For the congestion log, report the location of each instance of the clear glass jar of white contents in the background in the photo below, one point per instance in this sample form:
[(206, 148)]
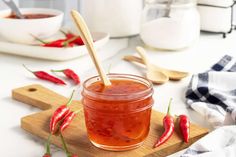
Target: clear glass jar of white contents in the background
[(179, 29)]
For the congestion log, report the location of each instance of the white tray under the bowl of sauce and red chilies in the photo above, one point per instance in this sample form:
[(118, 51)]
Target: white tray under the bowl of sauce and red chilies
[(51, 53)]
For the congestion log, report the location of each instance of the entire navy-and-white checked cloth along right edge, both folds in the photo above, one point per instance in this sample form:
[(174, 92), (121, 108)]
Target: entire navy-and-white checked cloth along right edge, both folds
[(213, 95)]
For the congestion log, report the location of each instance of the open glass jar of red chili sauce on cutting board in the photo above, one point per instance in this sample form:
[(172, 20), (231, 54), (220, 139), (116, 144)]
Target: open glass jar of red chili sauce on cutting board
[(117, 117)]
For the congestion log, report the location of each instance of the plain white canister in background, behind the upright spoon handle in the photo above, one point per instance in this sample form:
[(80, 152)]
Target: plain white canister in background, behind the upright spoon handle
[(119, 18)]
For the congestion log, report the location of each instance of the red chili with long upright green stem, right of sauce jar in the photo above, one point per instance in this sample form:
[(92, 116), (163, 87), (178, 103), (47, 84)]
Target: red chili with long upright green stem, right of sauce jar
[(168, 123)]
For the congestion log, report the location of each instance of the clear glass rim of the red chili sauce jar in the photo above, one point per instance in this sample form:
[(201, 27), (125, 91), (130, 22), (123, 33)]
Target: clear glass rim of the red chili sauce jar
[(137, 78)]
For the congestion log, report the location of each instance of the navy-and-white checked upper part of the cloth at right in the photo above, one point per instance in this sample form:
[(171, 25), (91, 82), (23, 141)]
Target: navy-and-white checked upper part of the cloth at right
[(213, 93)]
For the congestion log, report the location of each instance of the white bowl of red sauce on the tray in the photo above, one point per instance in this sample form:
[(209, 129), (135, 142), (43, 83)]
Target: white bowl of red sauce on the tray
[(21, 30)]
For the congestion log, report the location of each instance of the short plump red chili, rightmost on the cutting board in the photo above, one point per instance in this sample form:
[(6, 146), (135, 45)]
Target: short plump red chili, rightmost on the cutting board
[(184, 125)]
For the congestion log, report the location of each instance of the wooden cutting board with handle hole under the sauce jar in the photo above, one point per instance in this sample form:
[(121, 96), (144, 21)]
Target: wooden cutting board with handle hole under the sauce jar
[(75, 135)]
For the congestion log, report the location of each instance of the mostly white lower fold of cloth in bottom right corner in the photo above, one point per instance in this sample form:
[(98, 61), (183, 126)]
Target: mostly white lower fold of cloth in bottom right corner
[(208, 146)]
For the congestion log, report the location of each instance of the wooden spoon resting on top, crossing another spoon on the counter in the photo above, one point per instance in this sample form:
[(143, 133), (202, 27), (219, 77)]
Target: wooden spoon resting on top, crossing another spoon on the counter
[(153, 75)]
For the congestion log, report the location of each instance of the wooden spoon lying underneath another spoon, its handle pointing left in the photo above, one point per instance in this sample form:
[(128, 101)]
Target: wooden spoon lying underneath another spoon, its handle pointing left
[(173, 74)]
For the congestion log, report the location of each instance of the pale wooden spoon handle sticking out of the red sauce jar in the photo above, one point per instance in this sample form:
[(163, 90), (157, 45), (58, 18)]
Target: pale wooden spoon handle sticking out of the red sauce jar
[(87, 38)]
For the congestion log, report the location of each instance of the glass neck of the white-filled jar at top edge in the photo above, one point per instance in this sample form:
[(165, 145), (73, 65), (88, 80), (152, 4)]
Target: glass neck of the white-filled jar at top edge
[(162, 4)]
